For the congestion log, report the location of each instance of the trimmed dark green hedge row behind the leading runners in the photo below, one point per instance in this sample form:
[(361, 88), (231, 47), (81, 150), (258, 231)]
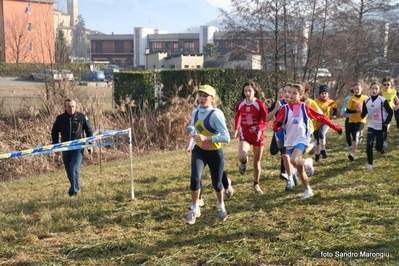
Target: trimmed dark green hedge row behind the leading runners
[(136, 89)]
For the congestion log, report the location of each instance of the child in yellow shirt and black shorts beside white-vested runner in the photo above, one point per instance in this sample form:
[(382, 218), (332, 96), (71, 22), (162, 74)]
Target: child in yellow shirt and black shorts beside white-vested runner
[(356, 122)]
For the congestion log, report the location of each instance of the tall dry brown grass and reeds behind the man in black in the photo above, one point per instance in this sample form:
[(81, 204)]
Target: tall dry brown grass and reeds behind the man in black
[(30, 126)]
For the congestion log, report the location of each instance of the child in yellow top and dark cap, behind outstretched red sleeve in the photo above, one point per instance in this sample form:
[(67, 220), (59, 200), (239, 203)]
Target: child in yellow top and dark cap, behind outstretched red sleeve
[(326, 105)]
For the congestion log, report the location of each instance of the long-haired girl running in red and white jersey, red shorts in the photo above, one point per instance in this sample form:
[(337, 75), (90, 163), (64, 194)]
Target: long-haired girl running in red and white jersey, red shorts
[(250, 118)]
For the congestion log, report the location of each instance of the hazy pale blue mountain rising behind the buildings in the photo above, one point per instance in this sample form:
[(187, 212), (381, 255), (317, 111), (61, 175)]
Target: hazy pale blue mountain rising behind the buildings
[(122, 16)]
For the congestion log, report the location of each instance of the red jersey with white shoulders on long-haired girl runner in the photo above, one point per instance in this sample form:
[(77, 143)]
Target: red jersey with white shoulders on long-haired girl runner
[(250, 114)]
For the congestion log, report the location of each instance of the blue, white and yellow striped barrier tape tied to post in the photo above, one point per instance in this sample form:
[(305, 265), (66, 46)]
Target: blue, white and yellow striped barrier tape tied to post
[(66, 146)]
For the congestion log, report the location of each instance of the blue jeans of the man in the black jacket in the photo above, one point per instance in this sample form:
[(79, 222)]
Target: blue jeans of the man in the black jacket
[(72, 161)]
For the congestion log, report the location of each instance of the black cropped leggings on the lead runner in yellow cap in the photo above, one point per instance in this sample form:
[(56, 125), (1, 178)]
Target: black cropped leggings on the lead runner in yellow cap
[(215, 160)]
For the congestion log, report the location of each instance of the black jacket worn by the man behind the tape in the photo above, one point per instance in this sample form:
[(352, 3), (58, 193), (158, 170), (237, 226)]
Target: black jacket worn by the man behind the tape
[(71, 127)]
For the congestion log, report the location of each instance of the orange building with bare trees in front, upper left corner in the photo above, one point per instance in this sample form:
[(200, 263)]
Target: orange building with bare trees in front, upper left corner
[(27, 31)]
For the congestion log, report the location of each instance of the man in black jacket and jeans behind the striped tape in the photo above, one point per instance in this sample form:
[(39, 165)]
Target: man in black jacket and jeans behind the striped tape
[(71, 125)]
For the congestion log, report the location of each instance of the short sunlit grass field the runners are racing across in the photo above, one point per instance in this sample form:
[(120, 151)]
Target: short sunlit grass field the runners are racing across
[(351, 220)]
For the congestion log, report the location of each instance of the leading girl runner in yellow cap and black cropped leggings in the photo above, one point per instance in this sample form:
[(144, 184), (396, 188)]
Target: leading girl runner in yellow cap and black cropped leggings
[(210, 131)]
